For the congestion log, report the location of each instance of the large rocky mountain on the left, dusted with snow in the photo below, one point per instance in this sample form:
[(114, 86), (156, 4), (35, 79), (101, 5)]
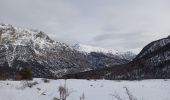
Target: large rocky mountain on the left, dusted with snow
[(34, 49)]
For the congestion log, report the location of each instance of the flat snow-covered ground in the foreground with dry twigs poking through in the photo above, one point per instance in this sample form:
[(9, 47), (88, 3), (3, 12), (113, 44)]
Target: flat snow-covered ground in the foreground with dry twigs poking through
[(93, 90)]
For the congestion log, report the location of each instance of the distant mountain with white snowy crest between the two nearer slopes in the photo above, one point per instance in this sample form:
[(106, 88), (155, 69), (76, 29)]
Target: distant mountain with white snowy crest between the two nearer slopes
[(101, 57)]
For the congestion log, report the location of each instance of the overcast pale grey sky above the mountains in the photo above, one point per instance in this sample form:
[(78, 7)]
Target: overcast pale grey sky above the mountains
[(124, 25)]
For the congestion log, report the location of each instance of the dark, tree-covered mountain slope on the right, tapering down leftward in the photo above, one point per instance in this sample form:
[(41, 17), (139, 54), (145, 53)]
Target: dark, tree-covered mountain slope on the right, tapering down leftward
[(152, 62)]
